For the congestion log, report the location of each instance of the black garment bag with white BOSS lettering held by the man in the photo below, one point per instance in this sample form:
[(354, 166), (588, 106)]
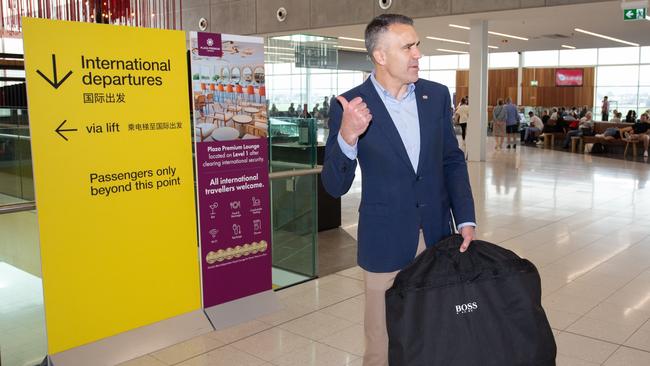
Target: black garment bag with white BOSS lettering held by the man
[(478, 308)]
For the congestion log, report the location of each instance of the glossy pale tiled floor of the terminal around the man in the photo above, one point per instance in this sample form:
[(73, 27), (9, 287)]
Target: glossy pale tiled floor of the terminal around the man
[(581, 219)]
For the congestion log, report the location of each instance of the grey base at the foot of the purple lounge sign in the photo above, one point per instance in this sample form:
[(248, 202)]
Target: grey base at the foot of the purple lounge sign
[(243, 310)]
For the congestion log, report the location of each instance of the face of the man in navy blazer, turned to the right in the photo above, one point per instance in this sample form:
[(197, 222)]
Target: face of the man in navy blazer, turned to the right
[(398, 52)]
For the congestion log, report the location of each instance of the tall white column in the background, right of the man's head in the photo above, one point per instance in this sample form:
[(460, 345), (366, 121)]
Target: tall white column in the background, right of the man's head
[(477, 126)]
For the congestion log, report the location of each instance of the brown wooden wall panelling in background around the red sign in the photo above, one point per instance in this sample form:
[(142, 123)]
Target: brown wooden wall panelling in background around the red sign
[(502, 83)]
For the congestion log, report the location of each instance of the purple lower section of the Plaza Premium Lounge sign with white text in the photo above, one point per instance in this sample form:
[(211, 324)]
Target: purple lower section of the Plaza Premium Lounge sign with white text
[(234, 214)]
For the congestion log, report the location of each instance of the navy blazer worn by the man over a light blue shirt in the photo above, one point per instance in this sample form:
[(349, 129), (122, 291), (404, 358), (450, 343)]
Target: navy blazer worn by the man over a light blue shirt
[(396, 201)]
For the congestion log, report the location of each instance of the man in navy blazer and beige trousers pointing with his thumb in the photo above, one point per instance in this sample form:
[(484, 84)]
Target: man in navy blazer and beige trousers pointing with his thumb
[(414, 176)]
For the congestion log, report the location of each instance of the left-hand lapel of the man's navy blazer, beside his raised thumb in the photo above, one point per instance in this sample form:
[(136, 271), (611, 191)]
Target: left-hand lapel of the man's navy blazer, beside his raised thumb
[(382, 119)]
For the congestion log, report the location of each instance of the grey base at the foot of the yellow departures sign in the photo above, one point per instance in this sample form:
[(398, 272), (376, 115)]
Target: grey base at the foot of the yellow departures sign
[(135, 343)]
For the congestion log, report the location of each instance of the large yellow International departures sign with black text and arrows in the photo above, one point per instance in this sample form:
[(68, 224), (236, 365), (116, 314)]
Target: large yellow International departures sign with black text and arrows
[(110, 130)]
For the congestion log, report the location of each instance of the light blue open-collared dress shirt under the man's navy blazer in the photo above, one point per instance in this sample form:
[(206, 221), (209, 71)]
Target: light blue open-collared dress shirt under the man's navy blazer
[(404, 114)]
